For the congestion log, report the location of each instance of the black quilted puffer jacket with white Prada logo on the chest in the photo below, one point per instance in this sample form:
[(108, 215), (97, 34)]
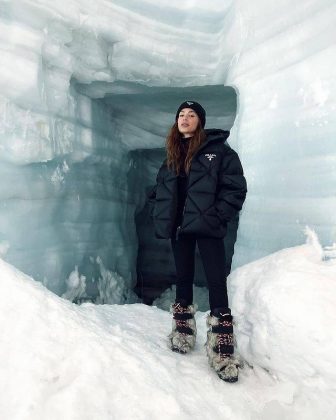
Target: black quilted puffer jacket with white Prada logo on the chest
[(215, 193)]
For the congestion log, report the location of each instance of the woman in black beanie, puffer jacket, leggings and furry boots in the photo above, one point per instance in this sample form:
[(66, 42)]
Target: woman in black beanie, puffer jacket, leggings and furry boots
[(200, 187)]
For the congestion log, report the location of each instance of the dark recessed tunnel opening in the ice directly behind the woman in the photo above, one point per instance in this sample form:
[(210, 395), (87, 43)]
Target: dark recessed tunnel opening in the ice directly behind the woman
[(155, 270)]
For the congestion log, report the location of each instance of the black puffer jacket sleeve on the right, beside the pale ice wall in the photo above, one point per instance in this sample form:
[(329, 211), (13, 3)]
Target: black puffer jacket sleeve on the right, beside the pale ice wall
[(231, 187)]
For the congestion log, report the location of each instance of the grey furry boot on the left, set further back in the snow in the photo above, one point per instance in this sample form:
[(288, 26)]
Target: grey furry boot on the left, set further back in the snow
[(183, 336)]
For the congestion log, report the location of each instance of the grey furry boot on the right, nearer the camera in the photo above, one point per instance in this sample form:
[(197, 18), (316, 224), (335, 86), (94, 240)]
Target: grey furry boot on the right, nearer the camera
[(220, 345)]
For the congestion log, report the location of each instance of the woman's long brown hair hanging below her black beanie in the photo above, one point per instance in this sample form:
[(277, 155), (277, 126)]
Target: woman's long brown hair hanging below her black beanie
[(173, 147)]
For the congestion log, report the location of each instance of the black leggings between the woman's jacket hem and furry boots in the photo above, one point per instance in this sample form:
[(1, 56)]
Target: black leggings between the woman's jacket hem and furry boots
[(213, 257)]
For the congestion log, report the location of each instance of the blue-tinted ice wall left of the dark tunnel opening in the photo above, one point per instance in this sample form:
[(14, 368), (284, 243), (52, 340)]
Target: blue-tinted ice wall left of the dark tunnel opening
[(62, 205)]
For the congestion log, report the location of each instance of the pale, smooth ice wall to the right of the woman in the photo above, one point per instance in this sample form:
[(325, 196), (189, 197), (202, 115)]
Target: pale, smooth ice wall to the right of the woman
[(285, 129)]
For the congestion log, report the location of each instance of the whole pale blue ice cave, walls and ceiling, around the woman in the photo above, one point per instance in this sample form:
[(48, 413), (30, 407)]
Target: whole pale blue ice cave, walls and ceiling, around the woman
[(84, 85)]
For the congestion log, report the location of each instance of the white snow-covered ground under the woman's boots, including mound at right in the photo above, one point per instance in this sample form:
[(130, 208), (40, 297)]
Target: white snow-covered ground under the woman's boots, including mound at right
[(59, 360)]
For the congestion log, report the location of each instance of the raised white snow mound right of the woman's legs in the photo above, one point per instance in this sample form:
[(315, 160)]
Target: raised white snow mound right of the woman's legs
[(284, 307)]
